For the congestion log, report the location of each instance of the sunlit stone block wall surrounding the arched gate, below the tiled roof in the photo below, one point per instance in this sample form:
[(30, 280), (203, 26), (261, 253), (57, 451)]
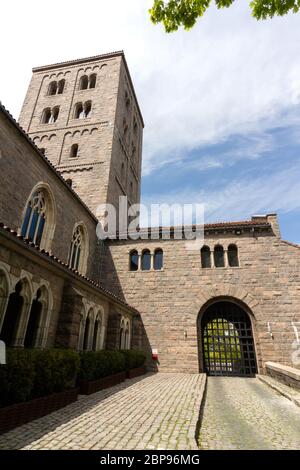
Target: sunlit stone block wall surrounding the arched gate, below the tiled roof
[(266, 284)]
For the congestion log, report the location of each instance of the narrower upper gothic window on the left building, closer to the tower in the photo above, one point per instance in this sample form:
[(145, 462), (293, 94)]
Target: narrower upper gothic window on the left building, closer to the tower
[(79, 249)]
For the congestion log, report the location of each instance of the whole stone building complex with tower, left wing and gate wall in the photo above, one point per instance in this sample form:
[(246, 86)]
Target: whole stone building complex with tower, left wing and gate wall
[(226, 308)]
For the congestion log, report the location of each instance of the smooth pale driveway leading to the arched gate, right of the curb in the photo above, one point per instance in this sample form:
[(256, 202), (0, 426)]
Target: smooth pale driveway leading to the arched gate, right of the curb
[(242, 413)]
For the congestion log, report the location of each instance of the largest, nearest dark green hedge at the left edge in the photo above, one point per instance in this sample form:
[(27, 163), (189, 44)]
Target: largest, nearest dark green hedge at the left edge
[(33, 373)]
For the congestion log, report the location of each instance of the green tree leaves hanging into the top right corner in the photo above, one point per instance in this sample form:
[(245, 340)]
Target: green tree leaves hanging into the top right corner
[(175, 13)]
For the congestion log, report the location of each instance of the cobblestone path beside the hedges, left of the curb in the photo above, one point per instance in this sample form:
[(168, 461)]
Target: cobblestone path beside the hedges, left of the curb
[(158, 411)]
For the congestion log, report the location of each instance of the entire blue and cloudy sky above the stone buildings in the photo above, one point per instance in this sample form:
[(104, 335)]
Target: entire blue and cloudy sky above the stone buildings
[(221, 103)]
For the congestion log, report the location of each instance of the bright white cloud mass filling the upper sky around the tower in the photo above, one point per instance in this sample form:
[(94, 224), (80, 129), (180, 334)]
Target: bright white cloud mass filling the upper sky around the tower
[(230, 75)]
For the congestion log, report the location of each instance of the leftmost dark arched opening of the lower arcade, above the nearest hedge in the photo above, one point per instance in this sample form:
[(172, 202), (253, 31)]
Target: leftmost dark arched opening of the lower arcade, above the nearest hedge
[(12, 315)]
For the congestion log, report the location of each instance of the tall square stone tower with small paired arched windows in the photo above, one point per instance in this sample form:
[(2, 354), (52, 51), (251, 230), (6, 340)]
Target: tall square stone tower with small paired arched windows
[(85, 117)]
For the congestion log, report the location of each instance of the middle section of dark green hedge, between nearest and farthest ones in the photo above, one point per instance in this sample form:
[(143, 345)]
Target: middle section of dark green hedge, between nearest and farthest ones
[(95, 365)]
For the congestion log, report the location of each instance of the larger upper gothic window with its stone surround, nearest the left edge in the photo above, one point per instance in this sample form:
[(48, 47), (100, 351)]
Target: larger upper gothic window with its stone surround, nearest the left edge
[(39, 218)]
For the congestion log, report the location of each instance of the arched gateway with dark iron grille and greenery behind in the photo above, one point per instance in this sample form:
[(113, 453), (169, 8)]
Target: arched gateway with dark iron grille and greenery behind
[(227, 341)]
